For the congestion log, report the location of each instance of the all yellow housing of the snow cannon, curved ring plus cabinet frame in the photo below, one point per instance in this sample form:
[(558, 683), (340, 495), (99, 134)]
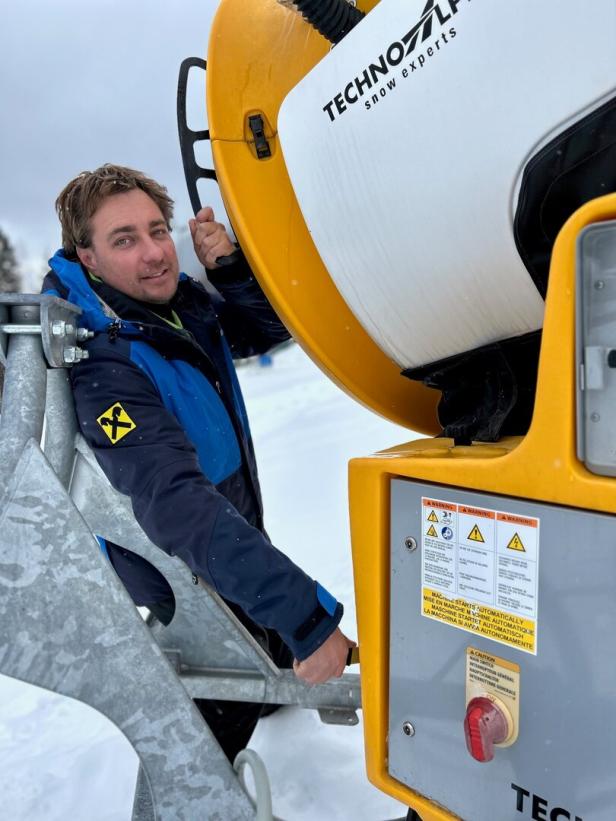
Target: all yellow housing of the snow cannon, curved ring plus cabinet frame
[(258, 51)]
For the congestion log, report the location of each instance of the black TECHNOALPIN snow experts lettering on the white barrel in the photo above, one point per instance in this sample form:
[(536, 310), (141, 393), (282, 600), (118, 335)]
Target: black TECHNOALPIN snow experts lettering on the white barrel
[(394, 55)]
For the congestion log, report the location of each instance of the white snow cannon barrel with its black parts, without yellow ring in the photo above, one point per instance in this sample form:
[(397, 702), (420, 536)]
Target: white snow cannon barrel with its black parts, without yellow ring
[(435, 154)]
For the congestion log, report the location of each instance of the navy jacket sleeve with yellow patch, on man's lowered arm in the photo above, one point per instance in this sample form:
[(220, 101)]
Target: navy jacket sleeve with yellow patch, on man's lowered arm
[(181, 511)]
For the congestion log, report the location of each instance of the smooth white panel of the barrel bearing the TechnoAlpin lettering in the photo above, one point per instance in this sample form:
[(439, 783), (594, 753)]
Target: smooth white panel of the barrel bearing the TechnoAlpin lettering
[(409, 193)]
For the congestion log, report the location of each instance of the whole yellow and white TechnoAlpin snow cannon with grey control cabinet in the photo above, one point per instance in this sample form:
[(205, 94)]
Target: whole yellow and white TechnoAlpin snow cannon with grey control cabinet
[(425, 190)]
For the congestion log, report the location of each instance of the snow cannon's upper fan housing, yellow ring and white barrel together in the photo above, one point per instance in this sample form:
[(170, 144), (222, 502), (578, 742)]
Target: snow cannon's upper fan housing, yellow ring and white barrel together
[(418, 175)]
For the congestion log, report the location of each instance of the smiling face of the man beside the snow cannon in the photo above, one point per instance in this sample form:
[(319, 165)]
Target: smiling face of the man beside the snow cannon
[(131, 249)]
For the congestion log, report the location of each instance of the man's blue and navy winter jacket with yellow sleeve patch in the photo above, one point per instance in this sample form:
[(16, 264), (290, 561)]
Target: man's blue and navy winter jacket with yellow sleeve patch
[(162, 410)]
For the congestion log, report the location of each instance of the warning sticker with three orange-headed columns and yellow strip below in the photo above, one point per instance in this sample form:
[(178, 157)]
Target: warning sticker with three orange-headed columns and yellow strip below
[(480, 571)]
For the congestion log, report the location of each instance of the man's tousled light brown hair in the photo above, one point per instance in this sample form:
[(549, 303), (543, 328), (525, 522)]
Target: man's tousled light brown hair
[(82, 197)]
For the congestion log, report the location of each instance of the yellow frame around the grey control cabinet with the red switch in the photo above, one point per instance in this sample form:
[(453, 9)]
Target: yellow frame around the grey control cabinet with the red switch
[(541, 466)]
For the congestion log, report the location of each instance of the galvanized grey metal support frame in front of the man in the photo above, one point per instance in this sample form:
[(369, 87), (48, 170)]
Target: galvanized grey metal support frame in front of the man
[(68, 625)]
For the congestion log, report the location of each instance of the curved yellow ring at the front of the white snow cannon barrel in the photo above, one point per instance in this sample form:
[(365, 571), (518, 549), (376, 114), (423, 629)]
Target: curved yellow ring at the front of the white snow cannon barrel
[(258, 51)]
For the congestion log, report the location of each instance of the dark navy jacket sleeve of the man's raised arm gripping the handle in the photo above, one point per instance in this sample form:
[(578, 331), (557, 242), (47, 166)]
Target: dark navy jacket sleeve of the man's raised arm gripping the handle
[(250, 324)]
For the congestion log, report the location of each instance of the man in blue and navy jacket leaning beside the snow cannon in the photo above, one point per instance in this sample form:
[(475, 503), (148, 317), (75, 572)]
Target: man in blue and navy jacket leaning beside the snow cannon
[(159, 403)]
